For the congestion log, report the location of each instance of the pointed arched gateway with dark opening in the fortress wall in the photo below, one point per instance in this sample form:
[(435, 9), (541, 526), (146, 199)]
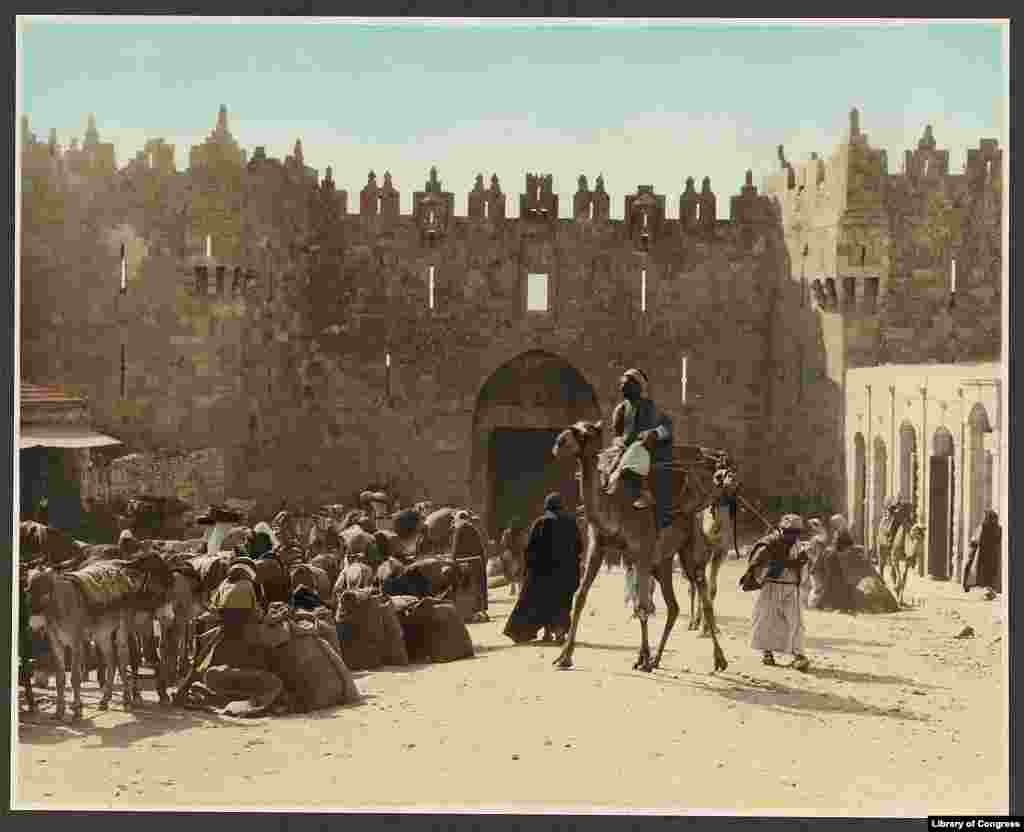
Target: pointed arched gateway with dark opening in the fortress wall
[(520, 412)]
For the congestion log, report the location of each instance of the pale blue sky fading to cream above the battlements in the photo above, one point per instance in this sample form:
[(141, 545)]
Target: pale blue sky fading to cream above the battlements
[(644, 104)]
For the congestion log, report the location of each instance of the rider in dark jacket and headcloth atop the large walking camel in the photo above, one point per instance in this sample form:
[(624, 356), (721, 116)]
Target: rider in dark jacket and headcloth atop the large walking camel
[(647, 434)]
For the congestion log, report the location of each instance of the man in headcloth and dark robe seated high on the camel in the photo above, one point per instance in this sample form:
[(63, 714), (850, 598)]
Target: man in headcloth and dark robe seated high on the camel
[(637, 422)]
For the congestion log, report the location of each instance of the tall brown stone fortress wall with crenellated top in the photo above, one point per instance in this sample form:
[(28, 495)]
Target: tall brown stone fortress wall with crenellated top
[(320, 350)]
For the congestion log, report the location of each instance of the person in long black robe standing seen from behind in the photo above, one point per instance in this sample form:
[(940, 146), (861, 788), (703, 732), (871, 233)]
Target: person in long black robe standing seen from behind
[(552, 576)]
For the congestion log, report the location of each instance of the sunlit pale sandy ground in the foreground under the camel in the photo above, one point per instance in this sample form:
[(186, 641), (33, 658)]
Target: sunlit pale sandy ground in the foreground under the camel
[(895, 718)]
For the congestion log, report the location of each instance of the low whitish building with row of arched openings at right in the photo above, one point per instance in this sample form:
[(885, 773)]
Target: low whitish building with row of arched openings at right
[(932, 434)]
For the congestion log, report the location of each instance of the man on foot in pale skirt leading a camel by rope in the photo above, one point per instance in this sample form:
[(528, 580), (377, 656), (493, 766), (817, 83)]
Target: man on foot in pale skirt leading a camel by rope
[(778, 618)]
